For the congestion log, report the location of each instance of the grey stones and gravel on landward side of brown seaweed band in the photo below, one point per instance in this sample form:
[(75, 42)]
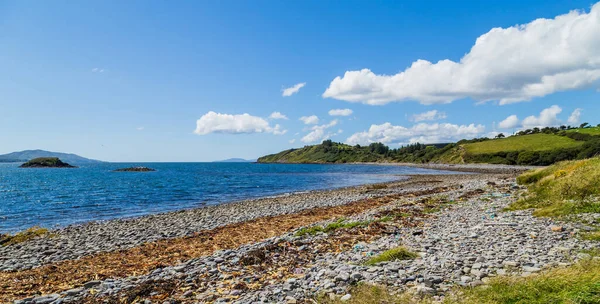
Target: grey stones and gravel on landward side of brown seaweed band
[(465, 243)]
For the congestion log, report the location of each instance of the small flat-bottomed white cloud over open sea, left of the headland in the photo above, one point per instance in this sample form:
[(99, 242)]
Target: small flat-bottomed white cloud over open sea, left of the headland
[(212, 122)]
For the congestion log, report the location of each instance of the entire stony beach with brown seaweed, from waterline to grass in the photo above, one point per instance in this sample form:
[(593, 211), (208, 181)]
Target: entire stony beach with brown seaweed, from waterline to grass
[(254, 251)]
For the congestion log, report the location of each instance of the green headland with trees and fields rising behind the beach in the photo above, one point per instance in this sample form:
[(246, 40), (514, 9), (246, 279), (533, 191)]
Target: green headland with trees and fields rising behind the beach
[(528, 147)]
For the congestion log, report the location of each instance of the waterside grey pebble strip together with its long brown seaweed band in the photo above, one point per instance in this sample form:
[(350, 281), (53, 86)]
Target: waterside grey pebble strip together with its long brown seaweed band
[(77, 252)]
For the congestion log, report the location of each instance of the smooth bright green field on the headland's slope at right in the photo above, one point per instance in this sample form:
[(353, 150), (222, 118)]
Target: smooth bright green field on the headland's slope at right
[(534, 142)]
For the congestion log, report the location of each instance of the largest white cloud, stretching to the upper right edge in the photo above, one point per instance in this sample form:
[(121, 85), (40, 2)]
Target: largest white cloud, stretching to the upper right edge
[(506, 64)]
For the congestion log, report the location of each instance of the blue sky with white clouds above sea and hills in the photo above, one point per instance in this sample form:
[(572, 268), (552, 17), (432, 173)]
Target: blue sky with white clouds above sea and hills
[(165, 81)]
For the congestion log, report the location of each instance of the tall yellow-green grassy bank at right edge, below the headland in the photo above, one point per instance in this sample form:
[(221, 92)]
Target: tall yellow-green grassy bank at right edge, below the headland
[(565, 188)]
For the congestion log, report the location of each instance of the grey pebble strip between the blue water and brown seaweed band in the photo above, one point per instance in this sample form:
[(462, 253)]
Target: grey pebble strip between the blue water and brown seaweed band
[(71, 242)]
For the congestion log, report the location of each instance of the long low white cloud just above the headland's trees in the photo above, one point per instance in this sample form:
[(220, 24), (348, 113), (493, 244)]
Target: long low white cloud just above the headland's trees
[(422, 132)]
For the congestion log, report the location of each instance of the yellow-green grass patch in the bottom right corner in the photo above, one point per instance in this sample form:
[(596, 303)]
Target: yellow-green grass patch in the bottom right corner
[(579, 283)]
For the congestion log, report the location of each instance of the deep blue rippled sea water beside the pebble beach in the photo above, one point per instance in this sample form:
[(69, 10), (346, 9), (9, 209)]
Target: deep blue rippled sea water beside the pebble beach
[(58, 197)]
